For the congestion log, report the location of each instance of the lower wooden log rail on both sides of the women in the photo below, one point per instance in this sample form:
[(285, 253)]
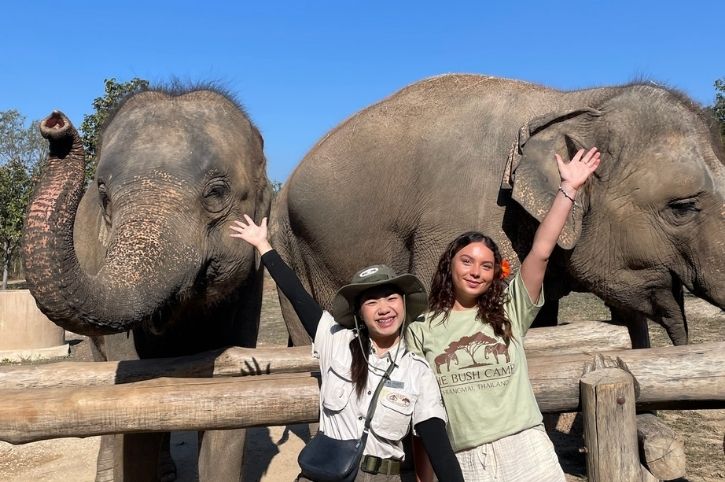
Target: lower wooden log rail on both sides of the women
[(690, 376)]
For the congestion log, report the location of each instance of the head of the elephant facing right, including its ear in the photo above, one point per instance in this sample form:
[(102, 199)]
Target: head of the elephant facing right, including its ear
[(652, 217)]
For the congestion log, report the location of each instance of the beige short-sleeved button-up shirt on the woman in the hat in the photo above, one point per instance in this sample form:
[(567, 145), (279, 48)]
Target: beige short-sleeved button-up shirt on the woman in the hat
[(411, 394)]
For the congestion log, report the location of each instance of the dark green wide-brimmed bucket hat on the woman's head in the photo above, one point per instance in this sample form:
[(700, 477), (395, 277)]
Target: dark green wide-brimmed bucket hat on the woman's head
[(343, 305)]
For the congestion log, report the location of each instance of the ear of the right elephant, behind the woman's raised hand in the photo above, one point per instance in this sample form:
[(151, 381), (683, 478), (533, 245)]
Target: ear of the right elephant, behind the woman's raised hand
[(531, 169)]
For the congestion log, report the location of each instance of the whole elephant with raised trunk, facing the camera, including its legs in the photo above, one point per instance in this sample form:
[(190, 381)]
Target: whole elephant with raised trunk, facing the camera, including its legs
[(147, 249)]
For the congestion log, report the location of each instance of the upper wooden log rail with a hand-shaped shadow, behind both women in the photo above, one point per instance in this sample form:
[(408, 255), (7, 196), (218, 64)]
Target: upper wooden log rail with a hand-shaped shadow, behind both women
[(580, 337)]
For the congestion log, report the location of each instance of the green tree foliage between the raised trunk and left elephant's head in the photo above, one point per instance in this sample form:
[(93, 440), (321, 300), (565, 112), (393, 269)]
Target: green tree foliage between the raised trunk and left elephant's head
[(92, 124)]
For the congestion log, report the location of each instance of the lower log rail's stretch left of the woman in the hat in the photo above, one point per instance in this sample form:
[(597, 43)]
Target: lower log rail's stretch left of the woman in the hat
[(164, 404)]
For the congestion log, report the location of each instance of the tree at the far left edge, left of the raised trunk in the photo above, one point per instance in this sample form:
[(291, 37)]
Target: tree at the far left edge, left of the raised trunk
[(21, 151)]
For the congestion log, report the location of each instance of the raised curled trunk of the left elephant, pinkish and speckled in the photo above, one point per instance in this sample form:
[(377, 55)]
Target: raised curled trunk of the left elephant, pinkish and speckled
[(113, 300)]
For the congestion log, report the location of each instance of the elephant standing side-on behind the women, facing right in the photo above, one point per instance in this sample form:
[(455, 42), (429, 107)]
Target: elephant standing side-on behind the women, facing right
[(396, 182)]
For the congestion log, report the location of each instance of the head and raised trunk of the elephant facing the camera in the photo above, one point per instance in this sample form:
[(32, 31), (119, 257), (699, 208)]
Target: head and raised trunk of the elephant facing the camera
[(149, 237)]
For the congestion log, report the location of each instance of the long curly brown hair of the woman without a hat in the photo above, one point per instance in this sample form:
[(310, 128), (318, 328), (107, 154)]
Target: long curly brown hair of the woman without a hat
[(490, 304)]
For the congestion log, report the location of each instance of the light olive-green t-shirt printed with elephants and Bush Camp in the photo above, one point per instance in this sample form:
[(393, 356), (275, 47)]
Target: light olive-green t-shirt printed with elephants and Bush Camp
[(485, 384)]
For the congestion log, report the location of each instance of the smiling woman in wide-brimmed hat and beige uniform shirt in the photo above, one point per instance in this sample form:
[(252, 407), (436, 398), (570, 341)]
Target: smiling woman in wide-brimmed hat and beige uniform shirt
[(356, 346)]
